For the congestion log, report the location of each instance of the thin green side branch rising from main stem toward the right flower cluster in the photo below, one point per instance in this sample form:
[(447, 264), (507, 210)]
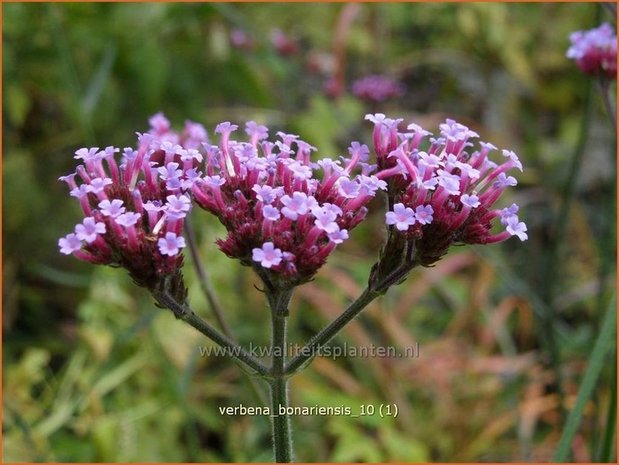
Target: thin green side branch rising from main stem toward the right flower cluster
[(328, 332)]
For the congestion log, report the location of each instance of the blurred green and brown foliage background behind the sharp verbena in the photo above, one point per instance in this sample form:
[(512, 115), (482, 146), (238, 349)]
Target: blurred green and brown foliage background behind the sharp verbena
[(92, 371)]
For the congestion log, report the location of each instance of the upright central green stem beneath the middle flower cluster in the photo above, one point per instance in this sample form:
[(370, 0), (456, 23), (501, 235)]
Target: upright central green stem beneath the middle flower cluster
[(282, 436)]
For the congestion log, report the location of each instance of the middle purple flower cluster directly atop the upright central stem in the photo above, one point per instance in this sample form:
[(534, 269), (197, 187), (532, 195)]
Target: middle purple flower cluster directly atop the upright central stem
[(283, 212)]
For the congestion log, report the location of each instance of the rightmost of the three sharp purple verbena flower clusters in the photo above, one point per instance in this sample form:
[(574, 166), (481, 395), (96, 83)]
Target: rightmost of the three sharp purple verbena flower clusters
[(441, 192)]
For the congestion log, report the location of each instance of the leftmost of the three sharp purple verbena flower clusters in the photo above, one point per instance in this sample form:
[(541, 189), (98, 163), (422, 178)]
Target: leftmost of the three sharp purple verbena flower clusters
[(134, 210)]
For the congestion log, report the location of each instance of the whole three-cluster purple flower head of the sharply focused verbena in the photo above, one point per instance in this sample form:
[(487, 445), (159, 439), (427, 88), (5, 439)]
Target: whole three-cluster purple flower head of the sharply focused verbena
[(283, 212)]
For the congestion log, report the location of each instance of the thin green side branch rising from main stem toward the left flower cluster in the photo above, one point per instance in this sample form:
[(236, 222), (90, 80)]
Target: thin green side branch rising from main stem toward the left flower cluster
[(233, 349)]
